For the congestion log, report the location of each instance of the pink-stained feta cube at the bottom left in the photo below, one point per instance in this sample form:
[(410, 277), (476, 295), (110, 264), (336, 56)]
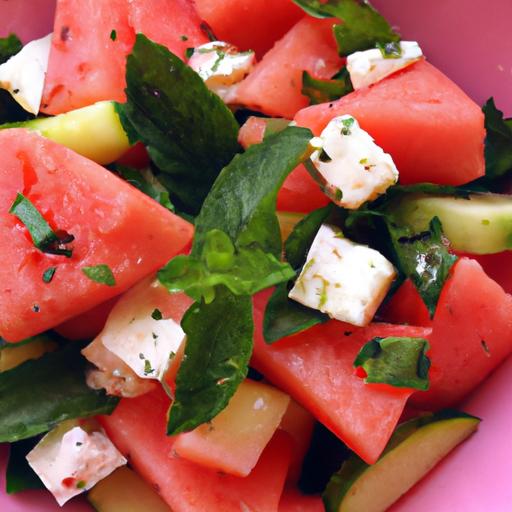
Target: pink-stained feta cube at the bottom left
[(70, 460)]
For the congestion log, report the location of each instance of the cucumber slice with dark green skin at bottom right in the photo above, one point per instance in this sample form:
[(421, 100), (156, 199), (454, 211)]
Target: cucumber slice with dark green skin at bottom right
[(414, 449)]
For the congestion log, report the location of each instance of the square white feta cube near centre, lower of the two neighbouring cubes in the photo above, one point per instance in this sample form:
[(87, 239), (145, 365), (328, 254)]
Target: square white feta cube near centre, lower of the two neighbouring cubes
[(345, 280)]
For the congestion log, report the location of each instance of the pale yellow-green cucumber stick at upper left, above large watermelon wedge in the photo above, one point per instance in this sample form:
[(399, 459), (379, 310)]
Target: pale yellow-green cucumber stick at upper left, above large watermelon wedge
[(94, 131)]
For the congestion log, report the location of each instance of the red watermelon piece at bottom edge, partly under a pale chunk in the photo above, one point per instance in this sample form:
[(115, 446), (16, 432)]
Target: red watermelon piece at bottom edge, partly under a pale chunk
[(185, 486)]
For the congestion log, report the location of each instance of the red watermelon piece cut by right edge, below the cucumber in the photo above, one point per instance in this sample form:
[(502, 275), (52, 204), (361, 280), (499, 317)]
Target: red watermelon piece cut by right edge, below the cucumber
[(471, 335)]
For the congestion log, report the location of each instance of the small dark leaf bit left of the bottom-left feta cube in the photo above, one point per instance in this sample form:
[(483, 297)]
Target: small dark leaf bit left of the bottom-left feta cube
[(19, 475)]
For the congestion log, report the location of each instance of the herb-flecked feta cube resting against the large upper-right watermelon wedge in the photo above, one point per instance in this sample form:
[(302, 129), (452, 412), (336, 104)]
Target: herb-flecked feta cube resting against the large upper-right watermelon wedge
[(350, 167)]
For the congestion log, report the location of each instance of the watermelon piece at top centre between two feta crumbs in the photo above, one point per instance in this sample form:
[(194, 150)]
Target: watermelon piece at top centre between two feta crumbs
[(274, 86)]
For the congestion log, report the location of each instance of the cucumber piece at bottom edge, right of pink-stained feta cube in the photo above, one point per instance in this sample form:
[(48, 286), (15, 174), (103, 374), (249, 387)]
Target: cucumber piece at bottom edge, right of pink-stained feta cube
[(125, 491)]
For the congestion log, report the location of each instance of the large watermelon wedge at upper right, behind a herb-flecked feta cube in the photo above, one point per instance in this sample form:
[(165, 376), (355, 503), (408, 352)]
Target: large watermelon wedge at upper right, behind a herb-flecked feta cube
[(432, 129)]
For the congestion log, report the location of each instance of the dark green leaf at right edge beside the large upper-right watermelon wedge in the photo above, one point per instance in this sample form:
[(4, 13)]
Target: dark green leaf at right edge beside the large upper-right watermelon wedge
[(498, 141)]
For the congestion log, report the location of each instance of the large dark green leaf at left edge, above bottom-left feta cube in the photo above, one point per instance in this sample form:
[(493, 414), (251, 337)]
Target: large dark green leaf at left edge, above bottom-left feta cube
[(60, 394)]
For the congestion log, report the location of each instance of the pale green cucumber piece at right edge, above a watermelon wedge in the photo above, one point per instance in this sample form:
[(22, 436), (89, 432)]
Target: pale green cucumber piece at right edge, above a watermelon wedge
[(481, 224)]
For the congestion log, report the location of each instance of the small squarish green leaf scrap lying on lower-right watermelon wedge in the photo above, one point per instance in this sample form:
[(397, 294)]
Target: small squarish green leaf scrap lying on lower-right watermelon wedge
[(399, 362)]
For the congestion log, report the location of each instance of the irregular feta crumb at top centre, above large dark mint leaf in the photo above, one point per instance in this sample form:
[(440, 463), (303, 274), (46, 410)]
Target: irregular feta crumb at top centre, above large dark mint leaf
[(221, 65)]
